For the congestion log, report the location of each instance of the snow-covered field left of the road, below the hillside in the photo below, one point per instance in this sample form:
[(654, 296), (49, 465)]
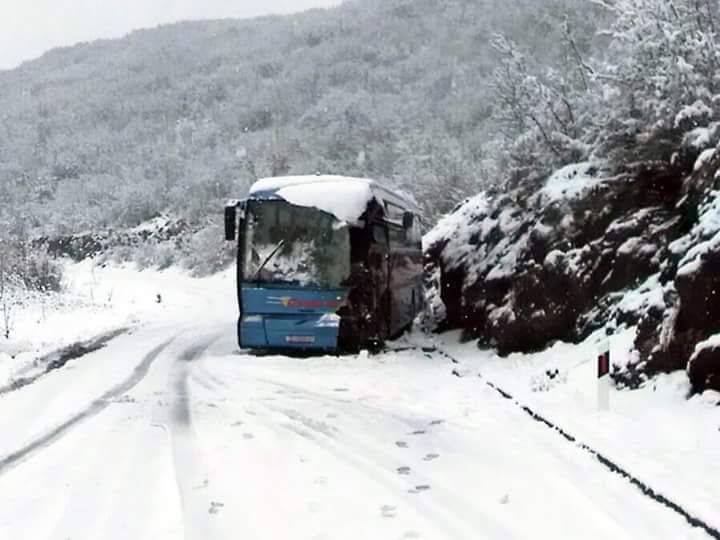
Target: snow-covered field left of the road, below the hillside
[(97, 301)]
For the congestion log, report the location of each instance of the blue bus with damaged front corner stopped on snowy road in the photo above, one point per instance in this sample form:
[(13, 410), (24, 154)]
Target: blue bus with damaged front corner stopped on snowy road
[(325, 263)]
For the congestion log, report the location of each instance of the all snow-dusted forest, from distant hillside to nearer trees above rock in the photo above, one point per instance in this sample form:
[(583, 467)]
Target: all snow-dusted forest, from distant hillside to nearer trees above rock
[(439, 99)]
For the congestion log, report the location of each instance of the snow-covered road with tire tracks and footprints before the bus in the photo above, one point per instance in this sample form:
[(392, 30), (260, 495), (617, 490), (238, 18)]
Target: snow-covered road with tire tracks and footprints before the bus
[(171, 433)]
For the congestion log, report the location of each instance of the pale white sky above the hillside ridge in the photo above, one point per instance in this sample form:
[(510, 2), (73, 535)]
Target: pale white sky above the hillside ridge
[(28, 28)]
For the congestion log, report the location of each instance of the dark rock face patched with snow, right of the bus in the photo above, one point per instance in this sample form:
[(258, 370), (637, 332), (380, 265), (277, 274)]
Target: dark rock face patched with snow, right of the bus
[(591, 247)]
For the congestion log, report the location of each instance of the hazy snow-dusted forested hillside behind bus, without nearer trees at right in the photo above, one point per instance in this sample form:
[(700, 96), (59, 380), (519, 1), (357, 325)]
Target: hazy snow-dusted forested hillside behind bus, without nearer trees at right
[(110, 134)]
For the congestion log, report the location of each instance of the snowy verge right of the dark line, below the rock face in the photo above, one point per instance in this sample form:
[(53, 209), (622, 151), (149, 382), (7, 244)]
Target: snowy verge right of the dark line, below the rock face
[(668, 441)]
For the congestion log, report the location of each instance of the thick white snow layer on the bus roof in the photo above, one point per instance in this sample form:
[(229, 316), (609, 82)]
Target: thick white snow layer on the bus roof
[(342, 196)]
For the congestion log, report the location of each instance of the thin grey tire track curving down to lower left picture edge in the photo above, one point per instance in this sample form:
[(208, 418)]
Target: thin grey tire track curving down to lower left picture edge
[(141, 370)]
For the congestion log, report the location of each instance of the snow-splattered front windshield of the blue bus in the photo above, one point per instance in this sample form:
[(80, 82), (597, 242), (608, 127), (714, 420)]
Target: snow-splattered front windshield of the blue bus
[(295, 245)]
